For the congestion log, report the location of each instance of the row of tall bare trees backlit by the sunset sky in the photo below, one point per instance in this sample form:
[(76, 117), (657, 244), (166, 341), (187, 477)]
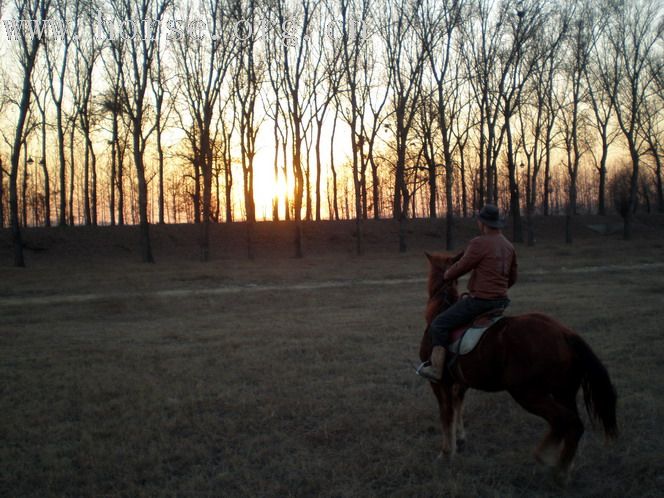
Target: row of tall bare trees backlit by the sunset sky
[(162, 106)]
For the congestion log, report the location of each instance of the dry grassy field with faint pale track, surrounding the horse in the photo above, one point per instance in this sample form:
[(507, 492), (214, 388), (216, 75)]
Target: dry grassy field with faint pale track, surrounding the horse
[(291, 377)]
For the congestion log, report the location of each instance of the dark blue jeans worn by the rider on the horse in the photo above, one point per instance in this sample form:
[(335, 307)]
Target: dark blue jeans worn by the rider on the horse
[(461, 313)]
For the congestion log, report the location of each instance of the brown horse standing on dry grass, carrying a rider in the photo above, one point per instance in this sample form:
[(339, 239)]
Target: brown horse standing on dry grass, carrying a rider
[(540, 362)]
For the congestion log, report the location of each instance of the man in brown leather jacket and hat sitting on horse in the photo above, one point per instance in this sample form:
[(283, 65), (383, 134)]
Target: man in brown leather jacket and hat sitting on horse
[(492, 259)]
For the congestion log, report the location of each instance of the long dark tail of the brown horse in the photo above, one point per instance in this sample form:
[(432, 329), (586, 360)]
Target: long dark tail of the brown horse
[(599, 394)]
